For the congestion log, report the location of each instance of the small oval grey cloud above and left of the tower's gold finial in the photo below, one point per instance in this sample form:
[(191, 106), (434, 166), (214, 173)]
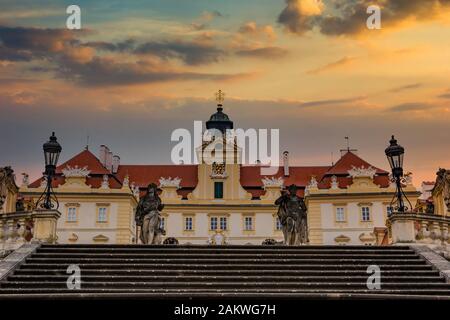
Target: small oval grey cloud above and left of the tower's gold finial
[(190, 53)]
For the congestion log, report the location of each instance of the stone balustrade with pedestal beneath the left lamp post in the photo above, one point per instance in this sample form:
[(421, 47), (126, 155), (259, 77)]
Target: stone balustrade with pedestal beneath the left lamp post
[(17, 228)]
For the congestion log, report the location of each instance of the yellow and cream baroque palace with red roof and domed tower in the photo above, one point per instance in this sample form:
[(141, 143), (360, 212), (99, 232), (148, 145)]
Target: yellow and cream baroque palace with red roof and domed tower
[(98, 196)]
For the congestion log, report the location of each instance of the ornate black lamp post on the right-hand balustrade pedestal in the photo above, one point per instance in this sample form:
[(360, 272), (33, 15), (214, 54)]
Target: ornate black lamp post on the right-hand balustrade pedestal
[(395, 153)]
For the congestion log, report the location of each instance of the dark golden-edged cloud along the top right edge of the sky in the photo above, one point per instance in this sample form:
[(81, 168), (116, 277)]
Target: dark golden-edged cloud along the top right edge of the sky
[(348, 17)]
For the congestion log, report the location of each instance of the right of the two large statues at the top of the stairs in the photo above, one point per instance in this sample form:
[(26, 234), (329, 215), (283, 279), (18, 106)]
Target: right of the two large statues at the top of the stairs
[(292, 215)]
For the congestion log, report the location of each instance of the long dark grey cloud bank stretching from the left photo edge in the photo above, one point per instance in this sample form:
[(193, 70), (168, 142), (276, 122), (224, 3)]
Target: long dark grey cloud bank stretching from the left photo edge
[(73, 60)]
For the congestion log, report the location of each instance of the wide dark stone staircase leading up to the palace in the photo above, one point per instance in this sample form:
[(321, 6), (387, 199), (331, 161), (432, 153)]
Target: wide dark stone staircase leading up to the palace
[(136, 271)]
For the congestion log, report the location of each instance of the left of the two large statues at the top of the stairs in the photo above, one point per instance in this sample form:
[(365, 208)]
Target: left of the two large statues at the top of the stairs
[(148, 218)]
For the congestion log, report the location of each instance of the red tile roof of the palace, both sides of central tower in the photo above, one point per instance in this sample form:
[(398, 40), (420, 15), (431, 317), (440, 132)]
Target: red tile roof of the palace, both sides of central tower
[(250, 176)]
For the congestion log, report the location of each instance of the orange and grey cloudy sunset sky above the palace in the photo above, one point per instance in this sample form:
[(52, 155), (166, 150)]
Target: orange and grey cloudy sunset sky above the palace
[(139, 69)]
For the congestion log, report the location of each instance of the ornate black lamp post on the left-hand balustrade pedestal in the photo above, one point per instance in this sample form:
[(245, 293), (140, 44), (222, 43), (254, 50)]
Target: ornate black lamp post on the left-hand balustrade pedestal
[(52, 149)]
